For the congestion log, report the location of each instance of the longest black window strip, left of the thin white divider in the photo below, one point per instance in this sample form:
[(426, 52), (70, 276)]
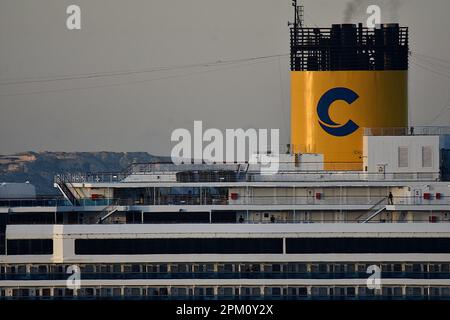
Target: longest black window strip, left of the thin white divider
[(178, 246)]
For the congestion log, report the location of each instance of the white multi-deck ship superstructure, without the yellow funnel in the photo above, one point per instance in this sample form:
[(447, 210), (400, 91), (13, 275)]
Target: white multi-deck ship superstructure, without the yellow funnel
[(159, 231)]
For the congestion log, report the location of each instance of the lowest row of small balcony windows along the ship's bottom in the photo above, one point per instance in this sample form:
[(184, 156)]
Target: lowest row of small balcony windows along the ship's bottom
[(230, 291)]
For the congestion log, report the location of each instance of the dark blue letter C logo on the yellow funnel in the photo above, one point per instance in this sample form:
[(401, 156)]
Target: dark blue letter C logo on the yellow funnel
[(323, 108)]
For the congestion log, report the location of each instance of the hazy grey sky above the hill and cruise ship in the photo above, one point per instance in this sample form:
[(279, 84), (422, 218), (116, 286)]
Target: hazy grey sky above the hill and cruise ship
[(137, 112)]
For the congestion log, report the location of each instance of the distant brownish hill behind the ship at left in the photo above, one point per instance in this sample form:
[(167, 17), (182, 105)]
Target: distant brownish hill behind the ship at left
[(39, 168)]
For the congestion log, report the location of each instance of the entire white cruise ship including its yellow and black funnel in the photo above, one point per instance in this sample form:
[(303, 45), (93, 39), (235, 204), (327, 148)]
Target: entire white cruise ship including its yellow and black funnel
[(358, 210)]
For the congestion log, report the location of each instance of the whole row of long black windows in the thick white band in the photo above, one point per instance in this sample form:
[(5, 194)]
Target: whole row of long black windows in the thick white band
[(236, 246)]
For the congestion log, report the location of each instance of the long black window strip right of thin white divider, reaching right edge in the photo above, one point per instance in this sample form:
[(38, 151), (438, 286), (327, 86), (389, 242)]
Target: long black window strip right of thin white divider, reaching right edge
[(368, 245)]
